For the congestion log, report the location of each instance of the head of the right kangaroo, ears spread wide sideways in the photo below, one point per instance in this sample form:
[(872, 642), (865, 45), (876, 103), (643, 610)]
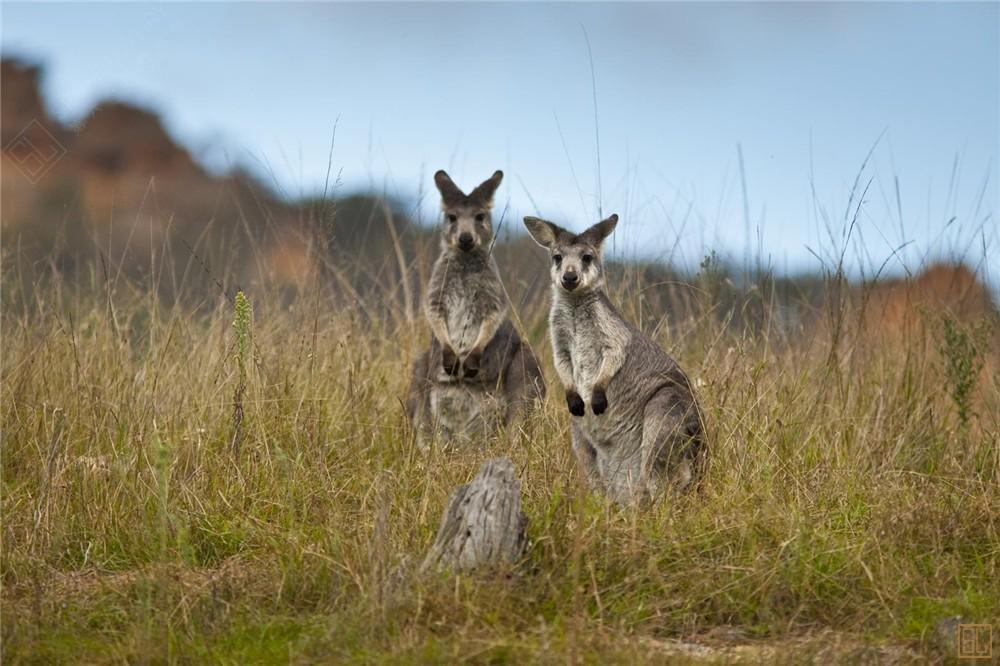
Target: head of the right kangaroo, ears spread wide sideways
[(576, 258)]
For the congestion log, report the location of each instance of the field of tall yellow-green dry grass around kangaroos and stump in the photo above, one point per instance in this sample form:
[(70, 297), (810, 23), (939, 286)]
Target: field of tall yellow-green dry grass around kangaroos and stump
[(180, 490)]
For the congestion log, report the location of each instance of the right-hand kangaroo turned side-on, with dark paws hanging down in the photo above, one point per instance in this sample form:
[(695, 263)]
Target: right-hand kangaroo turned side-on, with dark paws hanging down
[(643, 432)]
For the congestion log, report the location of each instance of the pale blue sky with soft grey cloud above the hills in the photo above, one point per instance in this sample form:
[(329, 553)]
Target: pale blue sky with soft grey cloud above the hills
[(804, 91)]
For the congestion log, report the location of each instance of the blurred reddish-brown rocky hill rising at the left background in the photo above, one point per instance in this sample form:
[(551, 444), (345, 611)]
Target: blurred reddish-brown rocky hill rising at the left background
[(120, 186)]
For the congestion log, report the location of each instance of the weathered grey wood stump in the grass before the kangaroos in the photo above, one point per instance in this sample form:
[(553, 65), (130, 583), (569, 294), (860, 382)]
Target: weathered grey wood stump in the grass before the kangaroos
[(483, 525)]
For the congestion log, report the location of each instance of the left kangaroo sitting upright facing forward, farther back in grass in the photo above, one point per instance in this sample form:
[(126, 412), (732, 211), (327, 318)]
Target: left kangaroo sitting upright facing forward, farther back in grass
[(478, 373)]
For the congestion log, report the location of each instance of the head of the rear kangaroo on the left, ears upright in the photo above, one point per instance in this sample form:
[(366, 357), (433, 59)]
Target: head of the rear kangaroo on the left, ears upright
[(467, 221)]
